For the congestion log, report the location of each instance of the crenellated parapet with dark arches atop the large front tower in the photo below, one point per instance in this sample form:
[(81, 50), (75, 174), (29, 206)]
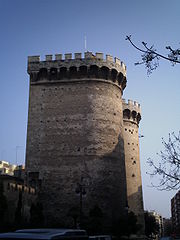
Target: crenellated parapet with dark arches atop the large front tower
[(66, 67)]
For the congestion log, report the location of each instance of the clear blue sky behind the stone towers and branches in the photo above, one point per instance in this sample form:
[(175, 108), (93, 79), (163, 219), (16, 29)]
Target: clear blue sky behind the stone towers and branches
[(40, 27)]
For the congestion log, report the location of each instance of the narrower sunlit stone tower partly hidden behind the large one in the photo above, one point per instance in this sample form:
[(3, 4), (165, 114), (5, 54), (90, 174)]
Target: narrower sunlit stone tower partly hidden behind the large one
[(131, 119)]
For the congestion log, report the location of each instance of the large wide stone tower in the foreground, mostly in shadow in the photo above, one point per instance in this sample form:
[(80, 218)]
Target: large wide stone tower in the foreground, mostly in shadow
[(75, 135)]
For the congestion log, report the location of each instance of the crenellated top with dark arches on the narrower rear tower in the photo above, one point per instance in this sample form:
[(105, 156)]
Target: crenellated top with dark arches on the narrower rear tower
[(131, 111)]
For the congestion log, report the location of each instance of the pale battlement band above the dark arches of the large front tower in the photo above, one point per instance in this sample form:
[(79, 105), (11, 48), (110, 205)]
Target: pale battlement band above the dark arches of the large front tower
[(35, 63)]
